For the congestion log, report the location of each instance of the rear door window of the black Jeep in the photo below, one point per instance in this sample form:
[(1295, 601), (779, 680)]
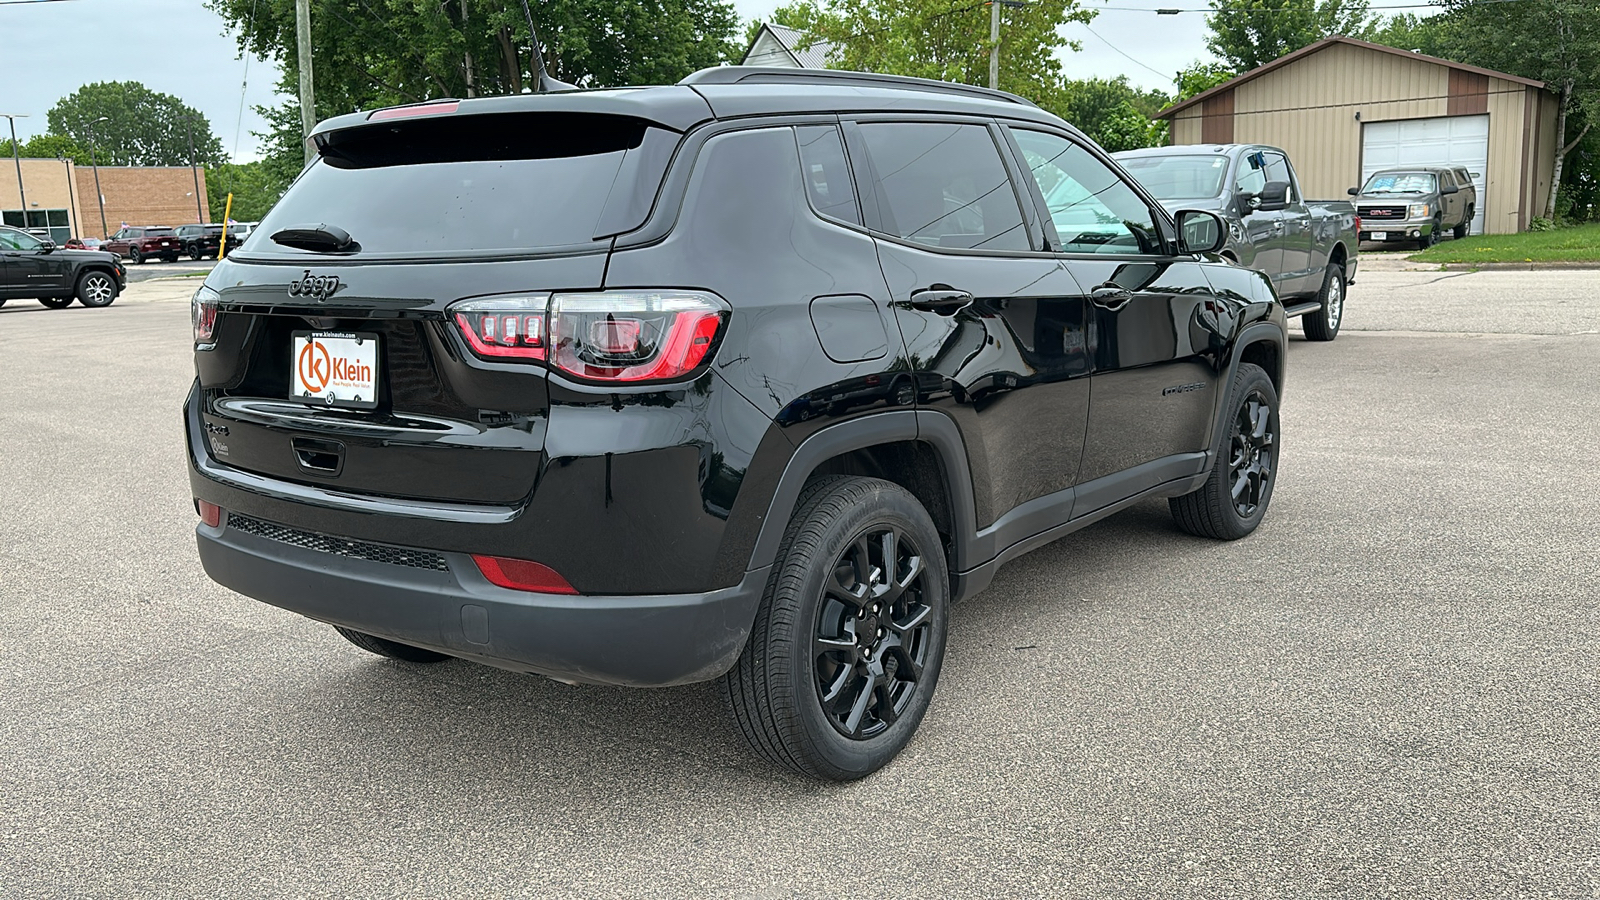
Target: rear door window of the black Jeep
[(943, 185)]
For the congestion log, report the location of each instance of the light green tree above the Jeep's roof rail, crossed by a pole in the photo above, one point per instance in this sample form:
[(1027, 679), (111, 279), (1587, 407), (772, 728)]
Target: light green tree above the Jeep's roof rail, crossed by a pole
[(943, 39)]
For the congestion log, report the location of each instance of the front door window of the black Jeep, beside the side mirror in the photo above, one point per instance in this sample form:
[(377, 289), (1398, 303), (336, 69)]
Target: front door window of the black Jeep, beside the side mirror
[(1092, 207)]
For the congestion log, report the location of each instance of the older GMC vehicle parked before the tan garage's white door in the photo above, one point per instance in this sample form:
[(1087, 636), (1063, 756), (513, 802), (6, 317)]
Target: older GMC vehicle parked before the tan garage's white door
[(1417, 204)]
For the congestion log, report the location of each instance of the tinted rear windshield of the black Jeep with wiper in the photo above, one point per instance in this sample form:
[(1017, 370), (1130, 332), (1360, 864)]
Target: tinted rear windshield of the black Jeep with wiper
[(460, 185)]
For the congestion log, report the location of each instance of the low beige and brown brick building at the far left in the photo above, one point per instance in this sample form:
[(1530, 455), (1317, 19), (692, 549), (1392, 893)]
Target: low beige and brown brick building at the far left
[(62, 198)]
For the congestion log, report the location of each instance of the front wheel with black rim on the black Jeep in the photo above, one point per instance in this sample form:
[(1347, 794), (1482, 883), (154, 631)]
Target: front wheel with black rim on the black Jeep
[(1214, 512)]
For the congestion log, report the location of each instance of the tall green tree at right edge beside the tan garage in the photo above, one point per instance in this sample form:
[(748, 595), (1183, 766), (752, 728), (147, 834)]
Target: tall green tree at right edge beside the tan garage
[(1551, 41)]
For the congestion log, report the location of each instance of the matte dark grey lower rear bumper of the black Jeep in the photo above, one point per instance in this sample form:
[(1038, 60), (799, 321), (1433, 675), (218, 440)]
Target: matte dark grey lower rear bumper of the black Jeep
[(646, 641)]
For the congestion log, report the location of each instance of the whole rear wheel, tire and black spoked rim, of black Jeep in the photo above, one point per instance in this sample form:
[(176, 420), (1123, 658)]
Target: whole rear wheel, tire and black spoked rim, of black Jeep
[(804, 645)]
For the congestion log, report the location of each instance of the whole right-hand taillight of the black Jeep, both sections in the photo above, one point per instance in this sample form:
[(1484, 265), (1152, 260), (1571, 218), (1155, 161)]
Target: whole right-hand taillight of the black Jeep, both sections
[(612, 337)]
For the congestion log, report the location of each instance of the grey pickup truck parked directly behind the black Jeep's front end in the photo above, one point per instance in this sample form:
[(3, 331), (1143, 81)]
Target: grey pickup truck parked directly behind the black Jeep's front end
[(1306, 247)]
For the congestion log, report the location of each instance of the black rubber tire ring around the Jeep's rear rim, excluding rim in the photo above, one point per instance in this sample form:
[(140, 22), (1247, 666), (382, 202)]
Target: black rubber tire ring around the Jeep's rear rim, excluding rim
[(855, 758)]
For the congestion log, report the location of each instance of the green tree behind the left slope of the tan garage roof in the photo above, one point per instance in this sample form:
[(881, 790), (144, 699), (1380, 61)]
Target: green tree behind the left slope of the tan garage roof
[(1254, 33)]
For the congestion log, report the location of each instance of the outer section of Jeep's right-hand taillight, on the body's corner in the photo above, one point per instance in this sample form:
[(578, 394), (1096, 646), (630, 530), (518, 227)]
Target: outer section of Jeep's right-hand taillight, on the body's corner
[(634, 335)]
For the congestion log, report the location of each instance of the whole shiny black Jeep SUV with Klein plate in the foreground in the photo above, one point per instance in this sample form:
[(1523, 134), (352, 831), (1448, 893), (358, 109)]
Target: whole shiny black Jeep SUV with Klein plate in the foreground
[(745, 379)]
